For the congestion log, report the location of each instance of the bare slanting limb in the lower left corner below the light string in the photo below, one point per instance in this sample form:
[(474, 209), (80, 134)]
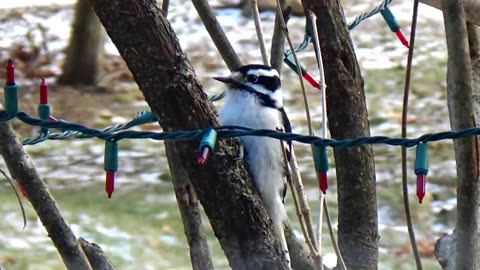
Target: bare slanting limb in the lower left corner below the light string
[(21, 169)]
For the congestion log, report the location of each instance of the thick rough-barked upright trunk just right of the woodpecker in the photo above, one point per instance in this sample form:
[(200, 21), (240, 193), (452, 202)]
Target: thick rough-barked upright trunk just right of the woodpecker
[(347, 118)]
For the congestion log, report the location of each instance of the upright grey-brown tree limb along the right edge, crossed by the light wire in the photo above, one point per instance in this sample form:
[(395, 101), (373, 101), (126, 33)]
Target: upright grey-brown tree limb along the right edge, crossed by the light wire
[(459, 95)]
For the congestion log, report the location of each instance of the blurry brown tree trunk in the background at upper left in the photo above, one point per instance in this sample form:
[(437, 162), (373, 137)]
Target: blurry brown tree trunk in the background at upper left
[(83, 61)]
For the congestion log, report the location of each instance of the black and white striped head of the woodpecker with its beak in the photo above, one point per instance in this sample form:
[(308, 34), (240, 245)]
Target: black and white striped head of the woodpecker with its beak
[(260, 80)]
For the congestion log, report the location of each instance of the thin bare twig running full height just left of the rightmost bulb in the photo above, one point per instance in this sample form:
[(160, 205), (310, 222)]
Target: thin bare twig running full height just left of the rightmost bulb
[(411, 232)]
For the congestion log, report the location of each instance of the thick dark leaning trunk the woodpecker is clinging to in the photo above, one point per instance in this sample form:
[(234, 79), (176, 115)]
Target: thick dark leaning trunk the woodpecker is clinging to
[(146, 41)]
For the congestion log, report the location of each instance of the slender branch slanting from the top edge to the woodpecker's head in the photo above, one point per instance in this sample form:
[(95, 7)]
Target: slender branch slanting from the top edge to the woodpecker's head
[(216, 34)]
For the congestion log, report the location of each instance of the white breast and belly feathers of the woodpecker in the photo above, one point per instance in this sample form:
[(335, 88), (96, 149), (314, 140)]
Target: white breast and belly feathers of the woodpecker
[(264, 155)]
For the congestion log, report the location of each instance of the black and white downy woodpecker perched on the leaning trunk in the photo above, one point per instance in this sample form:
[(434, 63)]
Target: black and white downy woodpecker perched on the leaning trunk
[(254, 99)]
